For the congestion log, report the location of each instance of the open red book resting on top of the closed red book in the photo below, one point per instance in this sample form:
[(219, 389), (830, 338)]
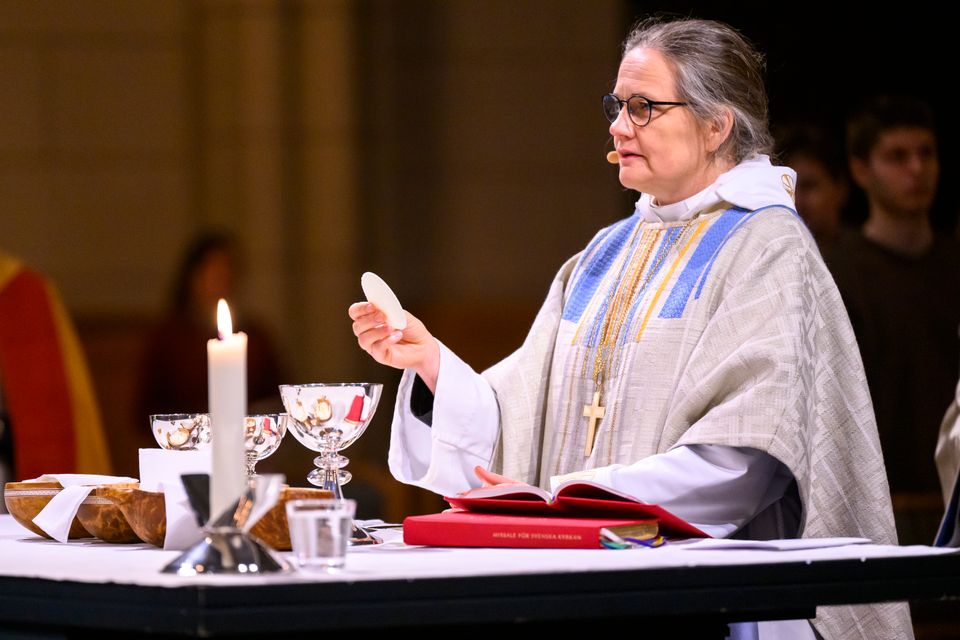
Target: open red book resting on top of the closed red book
[(574, 498)]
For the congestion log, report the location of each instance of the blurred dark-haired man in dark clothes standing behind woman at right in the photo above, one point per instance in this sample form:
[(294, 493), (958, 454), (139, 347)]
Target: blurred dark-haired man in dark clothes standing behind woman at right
[(900, 282)]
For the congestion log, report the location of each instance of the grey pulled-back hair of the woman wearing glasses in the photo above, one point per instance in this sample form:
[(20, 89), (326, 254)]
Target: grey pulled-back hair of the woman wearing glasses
[(715, 68)]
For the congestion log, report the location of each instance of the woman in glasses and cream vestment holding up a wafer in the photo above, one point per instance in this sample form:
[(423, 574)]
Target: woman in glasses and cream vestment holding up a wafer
[(695, 355)]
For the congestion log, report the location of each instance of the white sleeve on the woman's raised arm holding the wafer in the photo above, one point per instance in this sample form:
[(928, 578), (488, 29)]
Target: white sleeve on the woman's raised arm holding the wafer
[(466, 424)]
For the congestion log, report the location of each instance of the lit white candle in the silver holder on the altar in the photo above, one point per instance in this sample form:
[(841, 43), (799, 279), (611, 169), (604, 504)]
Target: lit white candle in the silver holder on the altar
[(227, 387)]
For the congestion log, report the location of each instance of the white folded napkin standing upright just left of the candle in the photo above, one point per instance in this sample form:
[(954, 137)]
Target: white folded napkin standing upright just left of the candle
[(160, 470)]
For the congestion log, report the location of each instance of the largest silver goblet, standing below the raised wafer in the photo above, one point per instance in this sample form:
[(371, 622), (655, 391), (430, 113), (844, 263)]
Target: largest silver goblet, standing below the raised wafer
[(328, 418)]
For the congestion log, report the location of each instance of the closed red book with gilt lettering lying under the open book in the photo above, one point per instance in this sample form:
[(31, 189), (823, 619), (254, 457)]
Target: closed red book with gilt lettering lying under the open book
[(456, 528)]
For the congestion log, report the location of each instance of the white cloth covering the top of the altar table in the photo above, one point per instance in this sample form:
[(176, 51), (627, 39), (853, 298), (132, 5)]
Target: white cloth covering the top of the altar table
[(23, 554)]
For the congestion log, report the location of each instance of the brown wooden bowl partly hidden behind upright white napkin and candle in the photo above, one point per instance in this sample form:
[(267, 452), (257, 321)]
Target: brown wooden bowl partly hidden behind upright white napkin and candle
[(146, 513)]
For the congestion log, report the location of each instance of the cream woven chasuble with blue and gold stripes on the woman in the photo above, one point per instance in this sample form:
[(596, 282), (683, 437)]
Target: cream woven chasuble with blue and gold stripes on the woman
[(735, 335)]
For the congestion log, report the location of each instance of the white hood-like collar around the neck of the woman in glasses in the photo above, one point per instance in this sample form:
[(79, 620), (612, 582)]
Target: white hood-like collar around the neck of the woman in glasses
[(752, 184)]
